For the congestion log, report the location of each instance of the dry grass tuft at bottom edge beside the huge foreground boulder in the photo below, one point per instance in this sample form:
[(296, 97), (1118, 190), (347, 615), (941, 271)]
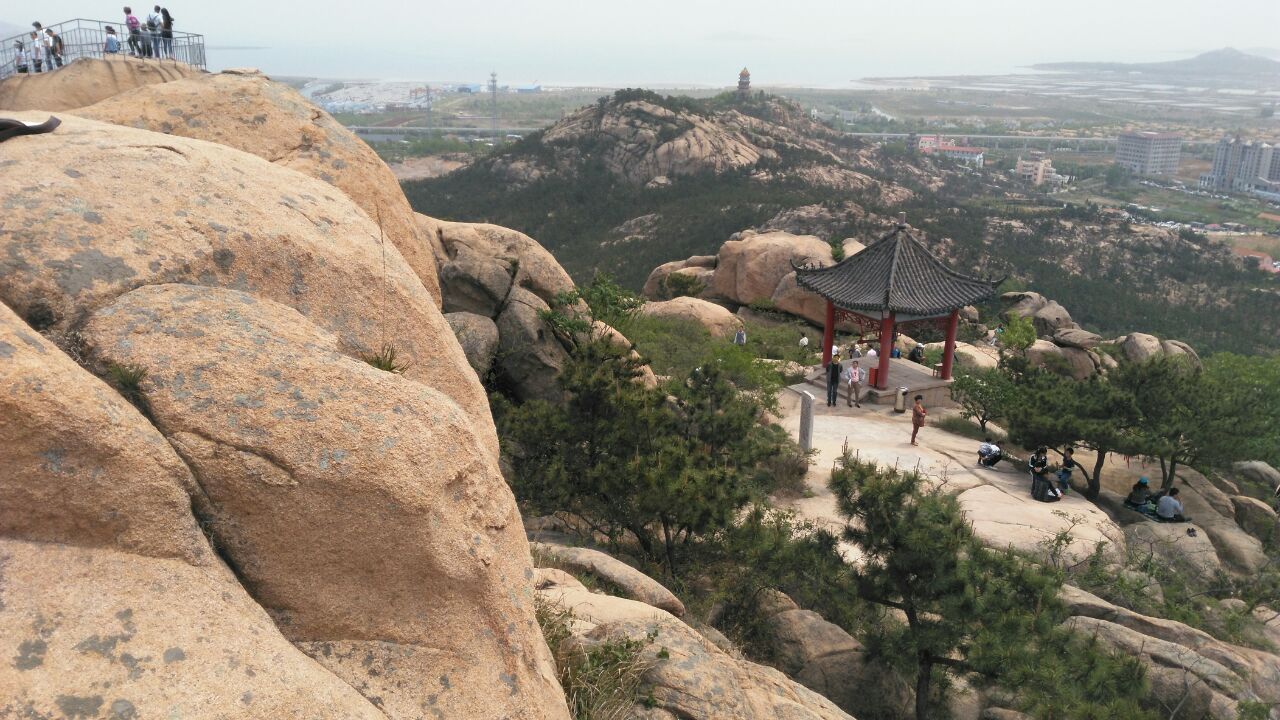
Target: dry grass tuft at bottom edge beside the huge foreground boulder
[(602, 681)]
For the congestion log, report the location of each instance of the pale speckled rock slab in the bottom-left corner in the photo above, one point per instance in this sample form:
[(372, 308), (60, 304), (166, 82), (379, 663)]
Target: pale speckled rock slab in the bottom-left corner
[(99, 634)]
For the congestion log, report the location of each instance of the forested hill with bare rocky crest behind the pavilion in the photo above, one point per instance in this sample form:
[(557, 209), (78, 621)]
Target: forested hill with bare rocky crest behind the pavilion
[(639, 180)]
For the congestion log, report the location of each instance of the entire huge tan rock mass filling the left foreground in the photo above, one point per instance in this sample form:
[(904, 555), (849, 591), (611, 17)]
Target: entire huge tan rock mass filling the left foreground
[(246, 520)]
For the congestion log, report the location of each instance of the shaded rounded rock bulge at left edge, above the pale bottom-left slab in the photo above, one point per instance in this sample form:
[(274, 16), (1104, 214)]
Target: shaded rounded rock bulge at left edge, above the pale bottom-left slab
[(81, 466)]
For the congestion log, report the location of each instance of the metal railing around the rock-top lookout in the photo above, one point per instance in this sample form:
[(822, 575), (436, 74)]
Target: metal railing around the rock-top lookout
[(88, 39)]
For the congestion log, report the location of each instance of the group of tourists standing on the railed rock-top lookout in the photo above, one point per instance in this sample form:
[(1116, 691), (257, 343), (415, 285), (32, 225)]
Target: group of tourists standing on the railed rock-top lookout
[(45, 51)]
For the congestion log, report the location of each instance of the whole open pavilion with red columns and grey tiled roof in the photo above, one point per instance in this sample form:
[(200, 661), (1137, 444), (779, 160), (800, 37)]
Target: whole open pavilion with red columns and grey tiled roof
[(894, 284)]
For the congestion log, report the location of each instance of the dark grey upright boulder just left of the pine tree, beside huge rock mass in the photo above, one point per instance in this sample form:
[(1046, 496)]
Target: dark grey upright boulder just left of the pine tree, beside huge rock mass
[(531, 357)]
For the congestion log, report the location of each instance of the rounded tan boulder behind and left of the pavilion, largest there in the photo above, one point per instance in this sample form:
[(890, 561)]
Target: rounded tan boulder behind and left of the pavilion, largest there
[(751, 268)]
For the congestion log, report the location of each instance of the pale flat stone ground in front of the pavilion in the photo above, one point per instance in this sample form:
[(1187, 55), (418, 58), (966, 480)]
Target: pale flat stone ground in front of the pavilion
[(998, 502)]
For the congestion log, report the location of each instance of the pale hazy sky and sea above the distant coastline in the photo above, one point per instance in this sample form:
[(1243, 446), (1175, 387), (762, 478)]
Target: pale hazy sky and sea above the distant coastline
[(825, 43)]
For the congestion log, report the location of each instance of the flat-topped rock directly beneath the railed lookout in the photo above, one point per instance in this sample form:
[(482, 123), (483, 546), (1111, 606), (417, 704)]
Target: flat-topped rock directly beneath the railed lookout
[(86, 81)]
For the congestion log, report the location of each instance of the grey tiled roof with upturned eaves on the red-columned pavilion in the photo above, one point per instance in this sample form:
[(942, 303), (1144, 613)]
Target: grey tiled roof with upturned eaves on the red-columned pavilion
[(895, 275)]
